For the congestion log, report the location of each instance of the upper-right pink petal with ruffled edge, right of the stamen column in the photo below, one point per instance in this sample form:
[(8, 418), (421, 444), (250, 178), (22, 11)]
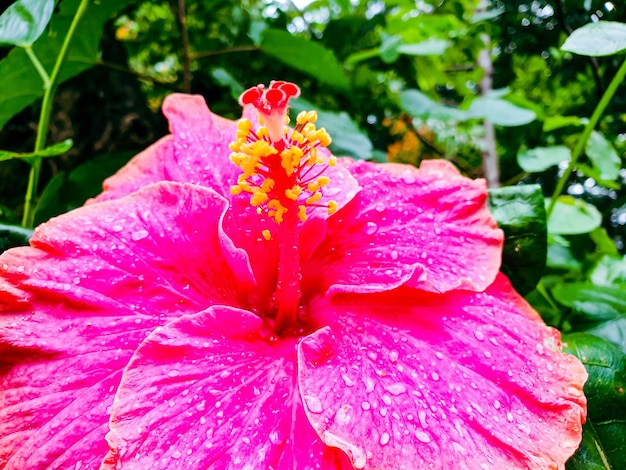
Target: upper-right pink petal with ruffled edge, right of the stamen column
[(427, 228)]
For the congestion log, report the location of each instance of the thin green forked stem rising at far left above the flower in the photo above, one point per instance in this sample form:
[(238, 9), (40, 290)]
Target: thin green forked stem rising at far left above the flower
[(44, 119)]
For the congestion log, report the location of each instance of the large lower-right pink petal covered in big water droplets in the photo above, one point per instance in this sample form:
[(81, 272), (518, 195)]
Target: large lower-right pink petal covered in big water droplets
[(406, 380)]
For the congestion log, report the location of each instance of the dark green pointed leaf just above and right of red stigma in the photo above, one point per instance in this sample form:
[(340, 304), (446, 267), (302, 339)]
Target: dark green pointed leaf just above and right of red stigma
[(306, 56)]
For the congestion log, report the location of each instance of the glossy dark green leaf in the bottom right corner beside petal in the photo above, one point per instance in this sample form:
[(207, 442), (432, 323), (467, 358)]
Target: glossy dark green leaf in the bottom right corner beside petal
[(604, 433)]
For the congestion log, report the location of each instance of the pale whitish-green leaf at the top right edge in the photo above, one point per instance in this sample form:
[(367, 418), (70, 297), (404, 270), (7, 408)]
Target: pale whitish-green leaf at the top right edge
[(597, 39)]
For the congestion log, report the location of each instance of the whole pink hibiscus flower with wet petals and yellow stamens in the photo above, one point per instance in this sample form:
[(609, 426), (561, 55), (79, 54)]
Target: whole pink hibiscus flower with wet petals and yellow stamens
[(287, 311)]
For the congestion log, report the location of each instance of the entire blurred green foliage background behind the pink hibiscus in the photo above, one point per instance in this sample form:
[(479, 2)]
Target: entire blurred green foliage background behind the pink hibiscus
[(516, 91)]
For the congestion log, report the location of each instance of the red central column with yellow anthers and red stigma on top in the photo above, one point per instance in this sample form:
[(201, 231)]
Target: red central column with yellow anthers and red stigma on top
[(283, 173)]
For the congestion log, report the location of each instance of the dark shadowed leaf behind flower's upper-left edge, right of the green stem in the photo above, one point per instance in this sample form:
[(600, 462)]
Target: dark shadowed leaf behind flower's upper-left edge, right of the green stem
[(66, 191)]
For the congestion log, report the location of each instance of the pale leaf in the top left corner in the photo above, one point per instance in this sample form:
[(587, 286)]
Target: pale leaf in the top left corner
[(24, 21)]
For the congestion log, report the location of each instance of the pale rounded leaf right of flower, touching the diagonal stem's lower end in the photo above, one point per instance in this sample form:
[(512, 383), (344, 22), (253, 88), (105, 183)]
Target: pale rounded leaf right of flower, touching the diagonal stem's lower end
[(573, 216)]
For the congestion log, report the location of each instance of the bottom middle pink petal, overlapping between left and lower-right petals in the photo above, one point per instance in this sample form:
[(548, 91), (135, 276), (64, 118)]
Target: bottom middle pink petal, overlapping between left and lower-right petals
[(210, 391)]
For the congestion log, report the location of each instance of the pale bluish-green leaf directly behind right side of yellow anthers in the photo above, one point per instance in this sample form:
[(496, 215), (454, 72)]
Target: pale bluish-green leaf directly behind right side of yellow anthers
[(348, 139)]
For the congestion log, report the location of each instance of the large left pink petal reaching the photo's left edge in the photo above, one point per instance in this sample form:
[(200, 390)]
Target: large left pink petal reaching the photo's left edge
[(75, 305)]
